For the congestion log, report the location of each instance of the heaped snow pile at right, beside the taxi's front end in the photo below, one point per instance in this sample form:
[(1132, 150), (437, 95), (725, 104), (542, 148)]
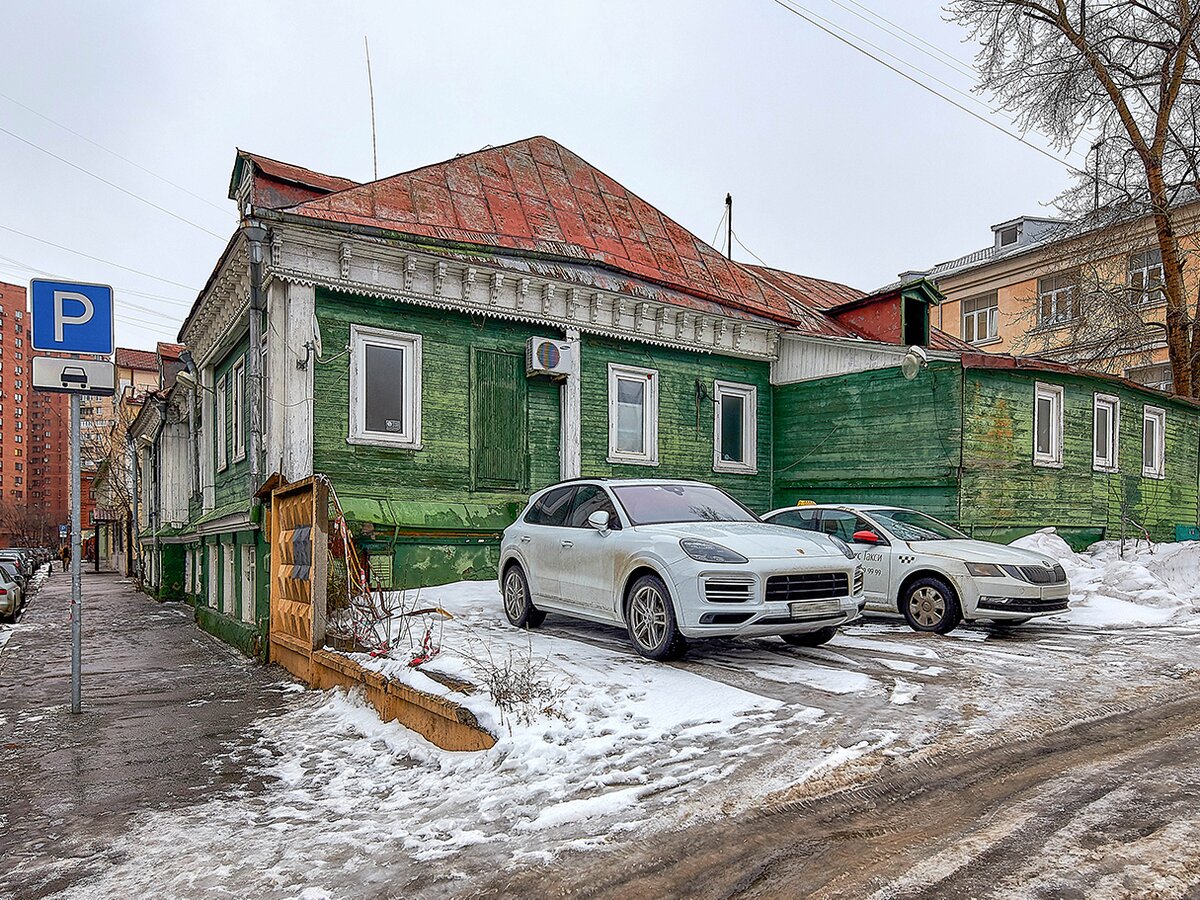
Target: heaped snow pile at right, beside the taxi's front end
[(1145, 586)]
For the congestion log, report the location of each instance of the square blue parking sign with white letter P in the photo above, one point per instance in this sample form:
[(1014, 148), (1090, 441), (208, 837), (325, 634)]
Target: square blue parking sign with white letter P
[(71, 317)]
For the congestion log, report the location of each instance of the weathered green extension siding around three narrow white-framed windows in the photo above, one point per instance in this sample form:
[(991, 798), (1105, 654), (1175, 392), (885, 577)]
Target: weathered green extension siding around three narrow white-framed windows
[(1005, 494)]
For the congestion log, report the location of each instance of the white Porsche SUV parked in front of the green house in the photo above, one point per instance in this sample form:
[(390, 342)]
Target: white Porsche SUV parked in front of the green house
[(671, 561)]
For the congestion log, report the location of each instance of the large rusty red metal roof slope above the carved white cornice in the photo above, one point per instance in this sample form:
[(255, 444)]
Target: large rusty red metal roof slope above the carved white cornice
[(538, 197)]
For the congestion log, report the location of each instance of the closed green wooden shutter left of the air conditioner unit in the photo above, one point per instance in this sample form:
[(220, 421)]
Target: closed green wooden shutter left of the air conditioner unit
[(499, 452)]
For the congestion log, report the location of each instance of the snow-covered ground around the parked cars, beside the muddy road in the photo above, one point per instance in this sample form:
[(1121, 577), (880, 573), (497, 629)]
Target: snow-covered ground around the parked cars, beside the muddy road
[(339, 805)]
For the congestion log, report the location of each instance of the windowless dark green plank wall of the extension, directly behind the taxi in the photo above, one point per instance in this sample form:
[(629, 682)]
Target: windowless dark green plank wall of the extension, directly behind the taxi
[(872, 437)]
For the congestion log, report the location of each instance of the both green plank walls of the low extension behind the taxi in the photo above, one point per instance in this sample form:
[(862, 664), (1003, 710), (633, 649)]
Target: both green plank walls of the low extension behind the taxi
[(959, 446)]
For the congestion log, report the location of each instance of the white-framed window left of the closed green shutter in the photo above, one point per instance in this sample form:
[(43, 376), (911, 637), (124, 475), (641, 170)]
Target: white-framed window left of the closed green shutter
[(386, 388)]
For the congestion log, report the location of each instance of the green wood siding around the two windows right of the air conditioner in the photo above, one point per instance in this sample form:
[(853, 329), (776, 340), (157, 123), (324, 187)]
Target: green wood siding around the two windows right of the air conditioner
[(686, 425)]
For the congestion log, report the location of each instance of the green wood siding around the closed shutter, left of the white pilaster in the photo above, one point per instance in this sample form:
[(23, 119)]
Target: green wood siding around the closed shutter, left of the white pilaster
[(430, 488)]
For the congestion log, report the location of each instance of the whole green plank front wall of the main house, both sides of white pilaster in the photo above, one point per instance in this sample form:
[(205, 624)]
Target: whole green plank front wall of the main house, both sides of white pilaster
[(419, 508)]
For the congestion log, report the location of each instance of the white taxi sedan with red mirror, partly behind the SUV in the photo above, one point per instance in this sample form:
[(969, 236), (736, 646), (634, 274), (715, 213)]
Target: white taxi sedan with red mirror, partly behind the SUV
[(932, 573)]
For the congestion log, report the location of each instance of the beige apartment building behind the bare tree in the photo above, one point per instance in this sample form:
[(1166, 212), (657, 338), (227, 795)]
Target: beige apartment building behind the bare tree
[(1024, 293)]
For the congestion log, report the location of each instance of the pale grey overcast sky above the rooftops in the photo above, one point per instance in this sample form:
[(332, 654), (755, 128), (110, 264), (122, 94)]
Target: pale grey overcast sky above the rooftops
[(839, 167)]
